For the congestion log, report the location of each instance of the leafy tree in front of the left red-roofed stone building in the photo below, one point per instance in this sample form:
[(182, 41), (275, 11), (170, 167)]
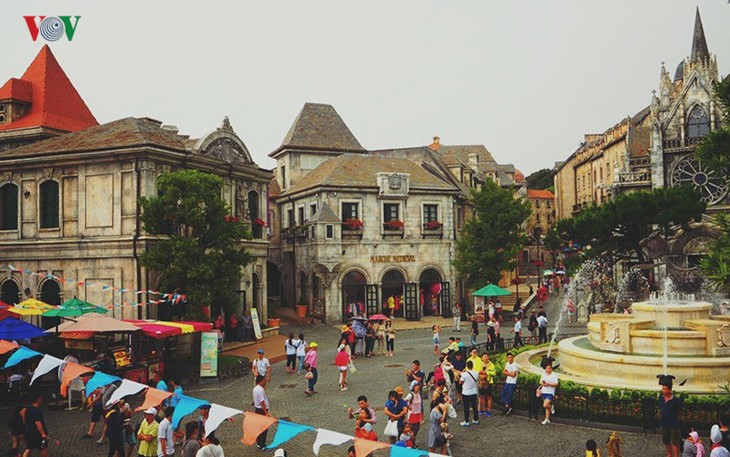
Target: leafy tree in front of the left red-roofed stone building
[(198, 251)]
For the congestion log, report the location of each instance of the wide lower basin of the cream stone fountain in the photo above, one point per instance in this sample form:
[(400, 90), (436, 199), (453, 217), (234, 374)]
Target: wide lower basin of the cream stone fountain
[(584, 364)]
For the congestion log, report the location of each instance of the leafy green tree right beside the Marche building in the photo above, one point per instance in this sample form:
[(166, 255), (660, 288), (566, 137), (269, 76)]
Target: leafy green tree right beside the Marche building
[(491, 240)]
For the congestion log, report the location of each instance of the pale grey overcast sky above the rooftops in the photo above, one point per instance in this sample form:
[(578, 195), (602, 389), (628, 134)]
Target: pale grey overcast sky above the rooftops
[(525, 78)]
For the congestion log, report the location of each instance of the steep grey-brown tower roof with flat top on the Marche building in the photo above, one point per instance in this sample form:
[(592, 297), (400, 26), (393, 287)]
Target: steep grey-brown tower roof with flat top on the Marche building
[(319, 127)]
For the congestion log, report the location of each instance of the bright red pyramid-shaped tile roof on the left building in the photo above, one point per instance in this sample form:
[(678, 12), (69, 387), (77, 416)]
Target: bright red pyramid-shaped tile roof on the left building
[(55, 103)]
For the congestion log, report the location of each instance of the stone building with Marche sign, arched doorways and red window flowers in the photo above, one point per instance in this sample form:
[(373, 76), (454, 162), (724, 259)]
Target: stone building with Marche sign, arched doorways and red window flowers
[(352, 227)]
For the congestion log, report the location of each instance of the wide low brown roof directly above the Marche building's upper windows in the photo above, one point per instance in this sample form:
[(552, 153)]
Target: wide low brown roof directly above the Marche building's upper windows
[(359, 171)]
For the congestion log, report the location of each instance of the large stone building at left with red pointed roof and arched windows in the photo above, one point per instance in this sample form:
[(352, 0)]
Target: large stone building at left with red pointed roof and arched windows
[(70, 190)]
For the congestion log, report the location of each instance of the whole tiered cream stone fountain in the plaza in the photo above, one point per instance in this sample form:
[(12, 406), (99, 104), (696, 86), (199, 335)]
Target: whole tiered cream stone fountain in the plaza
[(627, 351)]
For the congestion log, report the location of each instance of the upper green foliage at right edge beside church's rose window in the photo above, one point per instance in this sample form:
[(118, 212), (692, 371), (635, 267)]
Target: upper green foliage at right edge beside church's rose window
[(714, 149)]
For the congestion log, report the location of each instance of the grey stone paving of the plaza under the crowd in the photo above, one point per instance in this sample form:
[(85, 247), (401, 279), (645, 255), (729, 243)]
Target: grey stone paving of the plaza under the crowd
[(496, 436)]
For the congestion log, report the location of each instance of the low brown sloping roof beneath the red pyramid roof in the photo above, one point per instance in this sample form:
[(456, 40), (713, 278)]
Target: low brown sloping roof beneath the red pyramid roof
[(127, 132)]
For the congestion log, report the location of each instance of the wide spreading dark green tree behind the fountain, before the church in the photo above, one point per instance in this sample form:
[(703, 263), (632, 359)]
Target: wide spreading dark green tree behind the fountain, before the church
[(618, 226)]
